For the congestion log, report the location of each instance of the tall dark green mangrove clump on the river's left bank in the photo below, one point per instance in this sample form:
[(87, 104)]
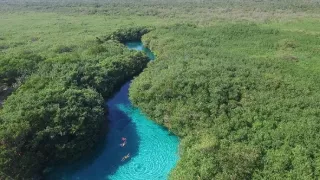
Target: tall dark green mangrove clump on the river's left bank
[(57, 114)]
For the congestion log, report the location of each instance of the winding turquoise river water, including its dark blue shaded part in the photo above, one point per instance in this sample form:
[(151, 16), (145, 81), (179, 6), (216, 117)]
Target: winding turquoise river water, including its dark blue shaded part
[(152, 149)]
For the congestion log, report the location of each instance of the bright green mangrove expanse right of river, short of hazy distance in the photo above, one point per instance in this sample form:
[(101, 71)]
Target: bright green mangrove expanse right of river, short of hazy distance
[(243, 98)]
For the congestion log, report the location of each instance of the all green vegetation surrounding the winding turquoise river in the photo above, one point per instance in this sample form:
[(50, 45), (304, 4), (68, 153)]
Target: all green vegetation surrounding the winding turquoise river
[(237, 81)]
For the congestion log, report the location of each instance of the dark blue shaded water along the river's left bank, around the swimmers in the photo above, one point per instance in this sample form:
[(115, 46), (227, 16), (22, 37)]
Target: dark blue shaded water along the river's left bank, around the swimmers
[(107, 158)]
